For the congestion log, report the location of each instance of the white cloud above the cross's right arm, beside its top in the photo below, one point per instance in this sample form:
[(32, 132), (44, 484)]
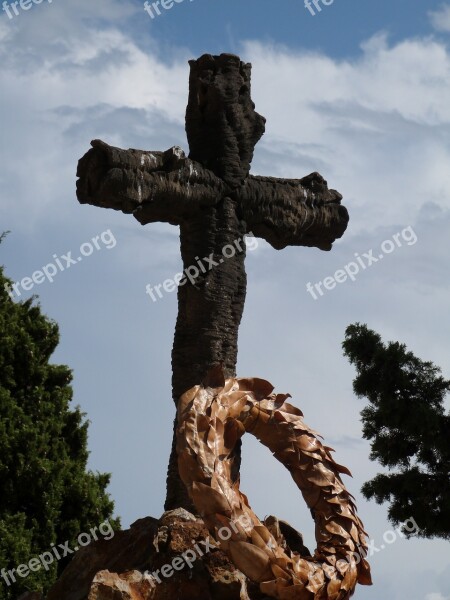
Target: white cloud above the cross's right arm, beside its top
[(377, 127)]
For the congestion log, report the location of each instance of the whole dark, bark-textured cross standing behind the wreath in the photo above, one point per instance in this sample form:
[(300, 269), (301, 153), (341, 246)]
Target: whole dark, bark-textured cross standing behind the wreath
[(215, 202)]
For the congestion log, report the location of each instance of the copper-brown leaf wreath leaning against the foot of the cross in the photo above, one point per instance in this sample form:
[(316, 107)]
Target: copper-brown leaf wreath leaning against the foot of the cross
[(211, 419)]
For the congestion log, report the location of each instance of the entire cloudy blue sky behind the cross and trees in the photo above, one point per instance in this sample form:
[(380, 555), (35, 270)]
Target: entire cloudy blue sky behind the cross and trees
[(359, 92)]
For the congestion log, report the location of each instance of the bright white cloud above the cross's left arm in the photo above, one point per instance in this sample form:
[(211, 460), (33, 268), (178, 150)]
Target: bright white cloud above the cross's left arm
[(94, 82)]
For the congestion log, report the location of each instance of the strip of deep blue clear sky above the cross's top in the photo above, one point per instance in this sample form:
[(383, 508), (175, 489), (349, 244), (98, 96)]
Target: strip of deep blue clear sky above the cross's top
[(338, 29)]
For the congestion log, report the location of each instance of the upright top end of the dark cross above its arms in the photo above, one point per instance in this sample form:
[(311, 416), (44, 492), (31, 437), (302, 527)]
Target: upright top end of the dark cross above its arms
[(222, 125)]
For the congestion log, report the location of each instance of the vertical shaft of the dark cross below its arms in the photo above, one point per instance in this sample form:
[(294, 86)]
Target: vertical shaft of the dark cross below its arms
[(209, 313)]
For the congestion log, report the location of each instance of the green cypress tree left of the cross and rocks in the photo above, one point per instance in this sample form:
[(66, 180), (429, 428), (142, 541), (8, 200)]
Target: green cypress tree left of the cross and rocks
[(47, 496)]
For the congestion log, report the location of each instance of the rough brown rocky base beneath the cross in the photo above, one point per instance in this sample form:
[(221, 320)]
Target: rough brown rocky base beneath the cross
[(166, 559)]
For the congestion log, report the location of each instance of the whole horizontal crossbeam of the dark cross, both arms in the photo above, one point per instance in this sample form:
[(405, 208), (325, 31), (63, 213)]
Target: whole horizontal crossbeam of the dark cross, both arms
[(167, 186)]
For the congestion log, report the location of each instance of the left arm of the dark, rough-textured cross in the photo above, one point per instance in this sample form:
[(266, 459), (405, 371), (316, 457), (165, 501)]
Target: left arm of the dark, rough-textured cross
[(153, 186)]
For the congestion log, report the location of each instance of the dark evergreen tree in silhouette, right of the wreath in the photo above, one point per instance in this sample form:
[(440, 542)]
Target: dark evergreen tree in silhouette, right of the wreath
[(408, 429)]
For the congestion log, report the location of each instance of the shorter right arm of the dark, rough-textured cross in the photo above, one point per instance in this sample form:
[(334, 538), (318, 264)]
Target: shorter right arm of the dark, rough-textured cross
[(293, 212)]
